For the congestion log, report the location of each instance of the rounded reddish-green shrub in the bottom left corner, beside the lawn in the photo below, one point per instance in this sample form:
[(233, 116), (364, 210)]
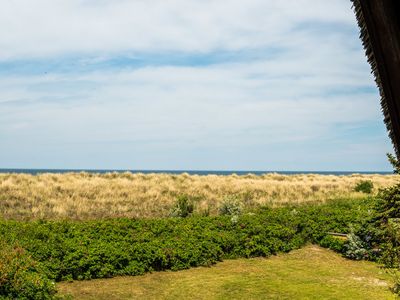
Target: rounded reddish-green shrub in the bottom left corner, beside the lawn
[(21, 277)]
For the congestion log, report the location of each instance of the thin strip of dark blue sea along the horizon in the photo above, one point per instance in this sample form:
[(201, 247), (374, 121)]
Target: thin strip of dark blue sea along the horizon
[(191, 172)]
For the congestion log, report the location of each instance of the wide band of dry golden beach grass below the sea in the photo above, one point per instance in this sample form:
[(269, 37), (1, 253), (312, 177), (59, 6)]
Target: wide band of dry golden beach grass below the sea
[(95, 196)]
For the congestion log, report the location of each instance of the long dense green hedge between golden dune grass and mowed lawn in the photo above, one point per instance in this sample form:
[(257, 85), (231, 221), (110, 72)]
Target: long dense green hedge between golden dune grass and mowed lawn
[(66, 250)]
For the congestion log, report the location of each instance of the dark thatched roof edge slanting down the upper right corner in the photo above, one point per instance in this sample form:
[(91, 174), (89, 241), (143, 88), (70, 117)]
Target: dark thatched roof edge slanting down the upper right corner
[(379, 22)]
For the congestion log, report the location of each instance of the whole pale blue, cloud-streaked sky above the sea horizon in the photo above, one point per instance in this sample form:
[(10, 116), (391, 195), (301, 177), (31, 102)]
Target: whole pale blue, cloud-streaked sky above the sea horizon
[(187, 85)]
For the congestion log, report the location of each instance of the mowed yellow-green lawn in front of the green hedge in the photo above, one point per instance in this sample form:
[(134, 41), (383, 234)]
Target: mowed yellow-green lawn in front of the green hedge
[(308, 273)]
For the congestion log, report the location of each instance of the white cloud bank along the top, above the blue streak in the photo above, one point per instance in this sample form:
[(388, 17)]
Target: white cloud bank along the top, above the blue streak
[(58, 27)]
